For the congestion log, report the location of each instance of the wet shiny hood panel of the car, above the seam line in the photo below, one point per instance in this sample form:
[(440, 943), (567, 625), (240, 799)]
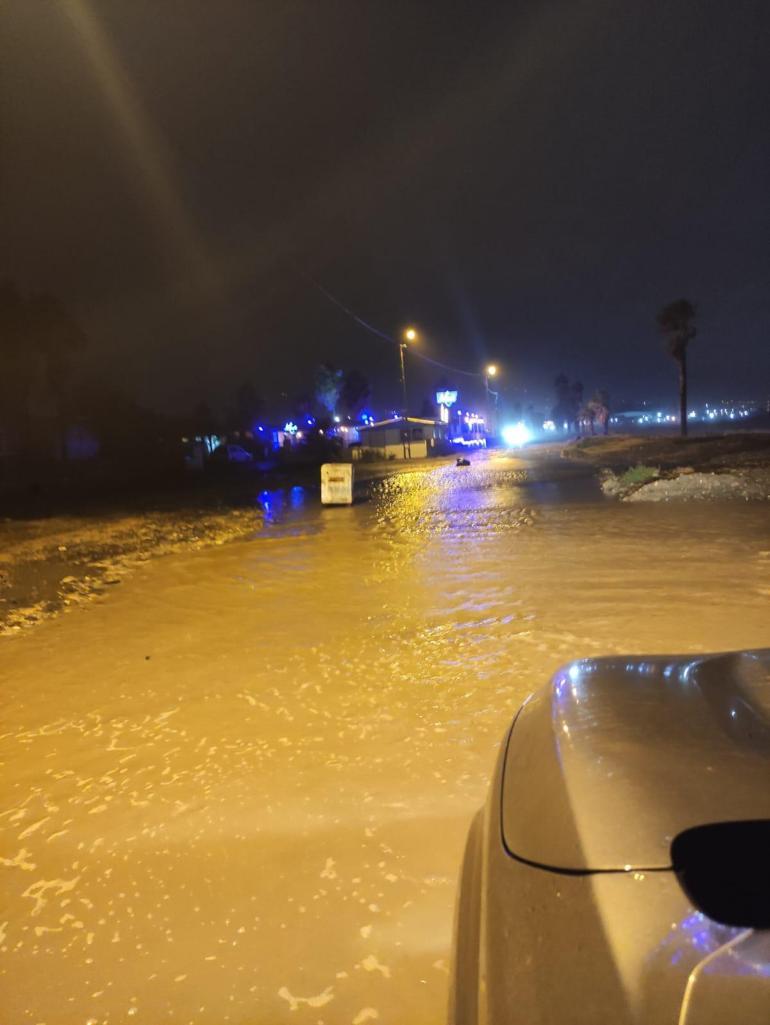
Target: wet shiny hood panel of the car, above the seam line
[(606, 765)]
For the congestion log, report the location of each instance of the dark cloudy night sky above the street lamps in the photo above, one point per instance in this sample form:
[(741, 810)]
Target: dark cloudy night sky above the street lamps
[(526, 182)]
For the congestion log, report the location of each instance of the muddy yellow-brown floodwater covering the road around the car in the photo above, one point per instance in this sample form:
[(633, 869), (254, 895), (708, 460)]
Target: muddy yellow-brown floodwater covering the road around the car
[(236, 788)]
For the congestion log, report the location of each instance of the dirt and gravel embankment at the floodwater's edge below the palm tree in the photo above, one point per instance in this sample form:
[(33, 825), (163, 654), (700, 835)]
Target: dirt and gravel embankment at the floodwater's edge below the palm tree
[(696, 469)]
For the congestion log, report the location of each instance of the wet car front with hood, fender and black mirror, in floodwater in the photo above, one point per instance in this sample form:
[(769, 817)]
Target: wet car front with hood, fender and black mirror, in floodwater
[(623, 851)]
